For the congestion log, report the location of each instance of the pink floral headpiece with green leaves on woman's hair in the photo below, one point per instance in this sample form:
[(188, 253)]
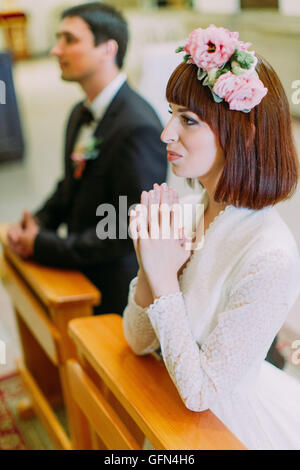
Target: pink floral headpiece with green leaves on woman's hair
[(225, 66)]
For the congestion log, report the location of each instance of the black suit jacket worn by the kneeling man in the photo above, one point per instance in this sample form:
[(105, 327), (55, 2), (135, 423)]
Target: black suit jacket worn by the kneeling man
[(131, 159)]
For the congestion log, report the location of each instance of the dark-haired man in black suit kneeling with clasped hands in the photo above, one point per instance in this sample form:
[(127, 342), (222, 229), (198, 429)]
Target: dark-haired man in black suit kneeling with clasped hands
[(112, 149)]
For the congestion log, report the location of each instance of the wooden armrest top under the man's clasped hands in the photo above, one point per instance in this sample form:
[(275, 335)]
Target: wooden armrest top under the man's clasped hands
[(53, 286)]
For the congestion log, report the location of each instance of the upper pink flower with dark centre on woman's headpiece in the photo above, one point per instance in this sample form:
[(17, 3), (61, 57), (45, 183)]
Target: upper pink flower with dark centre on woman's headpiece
[(211, 47)]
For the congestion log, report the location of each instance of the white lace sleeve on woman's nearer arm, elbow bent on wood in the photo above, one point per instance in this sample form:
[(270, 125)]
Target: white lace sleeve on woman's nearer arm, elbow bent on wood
[(255, 310)]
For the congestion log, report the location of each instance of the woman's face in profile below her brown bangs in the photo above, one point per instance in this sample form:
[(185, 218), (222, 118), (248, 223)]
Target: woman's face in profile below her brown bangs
[(193, 148)]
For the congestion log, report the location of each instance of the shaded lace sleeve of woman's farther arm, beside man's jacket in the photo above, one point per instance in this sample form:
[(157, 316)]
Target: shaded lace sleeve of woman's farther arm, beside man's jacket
[(137, 328)]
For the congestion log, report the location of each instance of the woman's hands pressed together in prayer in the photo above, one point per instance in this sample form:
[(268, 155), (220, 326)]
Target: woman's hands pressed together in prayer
[(159, 240)]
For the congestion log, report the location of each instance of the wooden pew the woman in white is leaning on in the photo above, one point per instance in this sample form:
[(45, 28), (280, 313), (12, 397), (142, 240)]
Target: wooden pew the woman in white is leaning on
[(125, 397)]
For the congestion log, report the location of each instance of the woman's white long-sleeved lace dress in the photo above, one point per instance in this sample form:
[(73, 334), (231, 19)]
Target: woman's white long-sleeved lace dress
[(235, 293)]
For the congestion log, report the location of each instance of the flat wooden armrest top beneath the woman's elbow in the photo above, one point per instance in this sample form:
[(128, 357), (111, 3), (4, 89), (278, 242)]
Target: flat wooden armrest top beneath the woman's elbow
[(144, 388)]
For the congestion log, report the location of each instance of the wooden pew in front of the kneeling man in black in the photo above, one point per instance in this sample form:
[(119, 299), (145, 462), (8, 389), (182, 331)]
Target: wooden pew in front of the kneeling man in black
[(44, 301)]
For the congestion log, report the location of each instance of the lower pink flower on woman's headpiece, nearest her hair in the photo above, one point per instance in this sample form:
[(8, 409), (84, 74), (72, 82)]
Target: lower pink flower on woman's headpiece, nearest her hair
[(240, 91)]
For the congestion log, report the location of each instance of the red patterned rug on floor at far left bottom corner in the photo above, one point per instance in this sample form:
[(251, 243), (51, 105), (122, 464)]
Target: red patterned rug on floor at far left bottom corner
[(11, 391)]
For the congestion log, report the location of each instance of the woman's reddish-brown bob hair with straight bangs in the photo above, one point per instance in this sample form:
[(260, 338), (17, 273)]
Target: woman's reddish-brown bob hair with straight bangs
[(261, 165)]
